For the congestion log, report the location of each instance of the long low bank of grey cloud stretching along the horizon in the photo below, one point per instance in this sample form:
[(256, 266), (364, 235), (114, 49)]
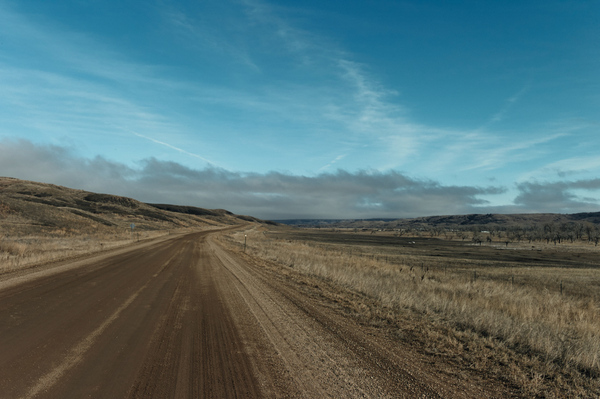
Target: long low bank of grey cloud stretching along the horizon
[(274, 195)]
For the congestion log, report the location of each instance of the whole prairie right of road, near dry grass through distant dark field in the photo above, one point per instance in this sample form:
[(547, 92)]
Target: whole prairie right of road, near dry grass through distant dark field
[(528, 313)]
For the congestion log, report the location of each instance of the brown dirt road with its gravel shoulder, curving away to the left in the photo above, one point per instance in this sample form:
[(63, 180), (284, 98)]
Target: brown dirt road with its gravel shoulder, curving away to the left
[(185, 318)]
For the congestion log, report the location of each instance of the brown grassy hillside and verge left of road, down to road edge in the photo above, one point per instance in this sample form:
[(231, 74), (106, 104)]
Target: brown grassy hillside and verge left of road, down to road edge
[(43, 222)]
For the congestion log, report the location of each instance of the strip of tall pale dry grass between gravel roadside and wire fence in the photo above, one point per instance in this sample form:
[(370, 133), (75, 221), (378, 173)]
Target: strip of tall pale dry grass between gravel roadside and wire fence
[(559, 329)]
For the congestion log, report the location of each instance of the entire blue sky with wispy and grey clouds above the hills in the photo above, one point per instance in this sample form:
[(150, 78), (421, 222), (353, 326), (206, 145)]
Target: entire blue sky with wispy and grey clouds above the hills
[(307, 109)]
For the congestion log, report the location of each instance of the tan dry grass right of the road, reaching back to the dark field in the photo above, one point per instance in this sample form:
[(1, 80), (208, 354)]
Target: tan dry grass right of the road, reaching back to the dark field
[(517, 307)]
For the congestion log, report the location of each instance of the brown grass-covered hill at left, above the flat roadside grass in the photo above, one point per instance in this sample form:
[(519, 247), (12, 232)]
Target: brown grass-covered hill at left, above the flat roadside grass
[(28, 207)]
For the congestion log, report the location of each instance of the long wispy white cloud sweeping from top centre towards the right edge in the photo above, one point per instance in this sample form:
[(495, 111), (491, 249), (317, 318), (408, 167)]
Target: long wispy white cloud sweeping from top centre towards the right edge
[(366, 115)]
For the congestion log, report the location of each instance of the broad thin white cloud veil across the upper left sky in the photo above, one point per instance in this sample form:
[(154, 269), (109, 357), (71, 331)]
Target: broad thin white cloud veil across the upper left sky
[(83, 91)]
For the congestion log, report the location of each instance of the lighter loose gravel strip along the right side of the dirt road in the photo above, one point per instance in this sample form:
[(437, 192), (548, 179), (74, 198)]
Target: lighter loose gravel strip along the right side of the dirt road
[(318, 357)]
